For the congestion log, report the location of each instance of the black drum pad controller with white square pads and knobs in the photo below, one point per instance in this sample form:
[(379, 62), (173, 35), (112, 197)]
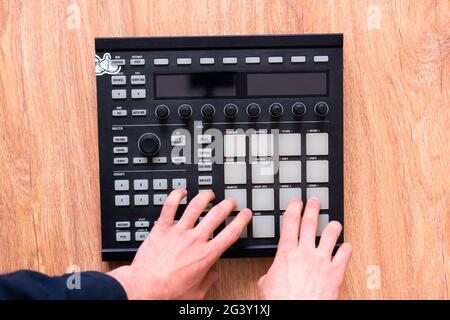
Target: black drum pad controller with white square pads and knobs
[(254, 118)]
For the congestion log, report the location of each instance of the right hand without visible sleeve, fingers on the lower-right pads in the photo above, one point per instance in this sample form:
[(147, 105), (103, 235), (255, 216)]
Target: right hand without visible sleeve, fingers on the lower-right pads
[(300, 270)]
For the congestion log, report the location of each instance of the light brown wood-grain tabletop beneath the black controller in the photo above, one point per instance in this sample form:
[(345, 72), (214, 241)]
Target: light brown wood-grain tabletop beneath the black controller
[(397, 113)]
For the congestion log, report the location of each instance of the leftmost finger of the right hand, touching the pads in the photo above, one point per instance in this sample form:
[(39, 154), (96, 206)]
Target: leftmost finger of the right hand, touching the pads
[(291, 225)]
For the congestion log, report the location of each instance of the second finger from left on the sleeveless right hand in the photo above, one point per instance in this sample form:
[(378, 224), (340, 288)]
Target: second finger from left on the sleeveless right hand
[(308, 227)]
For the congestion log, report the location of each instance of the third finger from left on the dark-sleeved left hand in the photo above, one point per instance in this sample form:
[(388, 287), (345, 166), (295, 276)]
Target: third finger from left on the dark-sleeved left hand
[(215, 217)]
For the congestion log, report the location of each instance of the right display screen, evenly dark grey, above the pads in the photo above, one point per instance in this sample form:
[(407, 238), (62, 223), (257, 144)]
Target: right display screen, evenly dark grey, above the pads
[(287, 84)]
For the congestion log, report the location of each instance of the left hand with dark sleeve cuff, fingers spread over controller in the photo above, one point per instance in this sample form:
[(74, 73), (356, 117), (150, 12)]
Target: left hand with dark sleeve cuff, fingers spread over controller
[(175, 260)]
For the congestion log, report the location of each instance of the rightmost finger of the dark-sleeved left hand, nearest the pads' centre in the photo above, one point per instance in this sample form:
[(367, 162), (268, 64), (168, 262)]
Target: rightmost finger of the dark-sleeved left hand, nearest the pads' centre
[(230, 234)]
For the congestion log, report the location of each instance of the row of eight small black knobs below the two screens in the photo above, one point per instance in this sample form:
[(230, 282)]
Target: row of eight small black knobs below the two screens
[(253, 110)]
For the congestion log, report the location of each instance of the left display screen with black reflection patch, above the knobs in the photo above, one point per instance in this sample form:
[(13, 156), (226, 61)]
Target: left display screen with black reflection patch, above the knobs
[(196, 85)]
